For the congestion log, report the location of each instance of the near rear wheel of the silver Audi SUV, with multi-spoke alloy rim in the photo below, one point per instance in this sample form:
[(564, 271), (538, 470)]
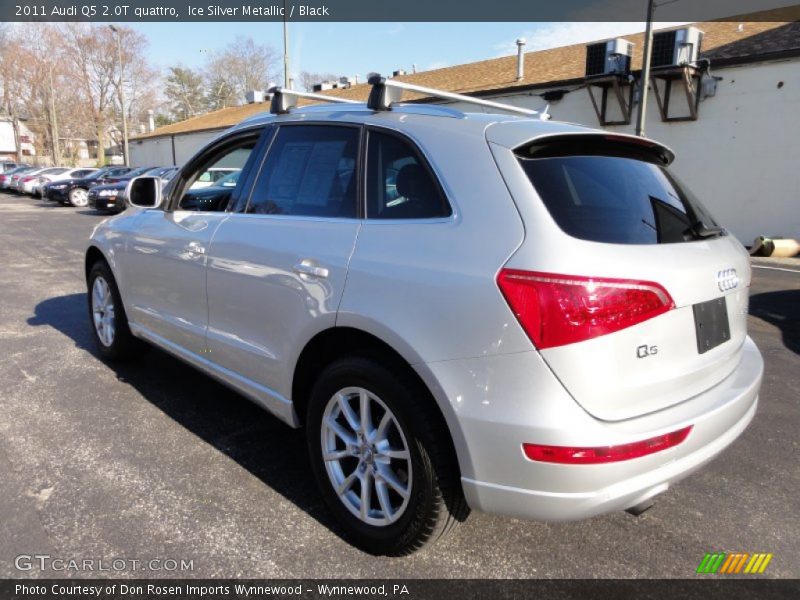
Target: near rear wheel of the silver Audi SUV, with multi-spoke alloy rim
[(422, 461)]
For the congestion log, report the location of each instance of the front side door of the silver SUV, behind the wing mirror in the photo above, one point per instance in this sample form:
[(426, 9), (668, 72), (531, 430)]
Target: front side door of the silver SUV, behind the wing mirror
[(165, 253)]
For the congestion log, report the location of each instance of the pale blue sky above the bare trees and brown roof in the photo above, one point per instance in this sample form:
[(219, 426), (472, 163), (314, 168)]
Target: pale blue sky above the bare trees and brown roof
[(359, 48)]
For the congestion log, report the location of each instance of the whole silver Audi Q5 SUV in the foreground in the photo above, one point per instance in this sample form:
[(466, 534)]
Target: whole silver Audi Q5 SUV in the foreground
[(464, 311)]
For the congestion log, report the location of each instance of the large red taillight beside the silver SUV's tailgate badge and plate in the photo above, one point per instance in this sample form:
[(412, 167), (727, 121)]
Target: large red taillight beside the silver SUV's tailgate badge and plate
[(555, 310)]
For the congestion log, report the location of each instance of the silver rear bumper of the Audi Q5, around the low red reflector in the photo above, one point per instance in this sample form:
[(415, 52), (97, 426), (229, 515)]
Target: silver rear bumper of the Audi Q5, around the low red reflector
[(498, 478)]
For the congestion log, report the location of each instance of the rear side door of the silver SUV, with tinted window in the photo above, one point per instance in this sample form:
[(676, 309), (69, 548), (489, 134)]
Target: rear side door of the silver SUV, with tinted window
[(277, 266)]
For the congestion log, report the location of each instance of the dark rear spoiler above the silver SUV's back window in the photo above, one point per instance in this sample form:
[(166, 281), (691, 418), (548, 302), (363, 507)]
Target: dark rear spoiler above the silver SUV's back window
[(596, 144)]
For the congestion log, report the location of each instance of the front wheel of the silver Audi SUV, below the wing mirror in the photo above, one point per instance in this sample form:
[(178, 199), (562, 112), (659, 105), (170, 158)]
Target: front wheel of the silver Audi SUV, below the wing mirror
[(112, 336)]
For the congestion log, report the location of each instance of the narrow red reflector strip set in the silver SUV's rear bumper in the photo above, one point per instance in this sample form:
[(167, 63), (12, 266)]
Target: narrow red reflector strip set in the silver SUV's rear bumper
[(567, 455)]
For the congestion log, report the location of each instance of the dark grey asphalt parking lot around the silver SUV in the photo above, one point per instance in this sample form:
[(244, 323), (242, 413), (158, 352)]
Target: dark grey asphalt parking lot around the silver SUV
[(154, 460)]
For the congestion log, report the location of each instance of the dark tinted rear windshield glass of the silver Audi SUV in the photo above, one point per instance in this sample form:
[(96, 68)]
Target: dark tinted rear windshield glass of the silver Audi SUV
[(619, 200)]
